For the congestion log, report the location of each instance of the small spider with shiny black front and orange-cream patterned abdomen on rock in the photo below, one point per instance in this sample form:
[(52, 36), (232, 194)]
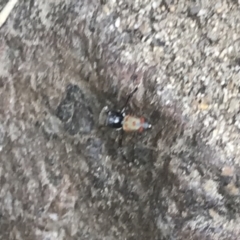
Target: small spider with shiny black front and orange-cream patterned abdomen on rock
[(119, 120)]
